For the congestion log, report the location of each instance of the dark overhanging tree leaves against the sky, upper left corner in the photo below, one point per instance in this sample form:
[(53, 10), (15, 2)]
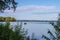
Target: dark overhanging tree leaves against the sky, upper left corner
[(7, 4)]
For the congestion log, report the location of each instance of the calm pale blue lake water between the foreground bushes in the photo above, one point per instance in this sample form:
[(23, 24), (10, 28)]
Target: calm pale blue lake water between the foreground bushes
[(39, 28)]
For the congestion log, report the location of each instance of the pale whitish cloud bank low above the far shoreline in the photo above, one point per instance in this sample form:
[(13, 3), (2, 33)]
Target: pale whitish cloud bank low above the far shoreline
[(30, 16)]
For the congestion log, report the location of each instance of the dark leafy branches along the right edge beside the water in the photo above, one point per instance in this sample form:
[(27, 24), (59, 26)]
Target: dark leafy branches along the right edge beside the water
[(57, 30)]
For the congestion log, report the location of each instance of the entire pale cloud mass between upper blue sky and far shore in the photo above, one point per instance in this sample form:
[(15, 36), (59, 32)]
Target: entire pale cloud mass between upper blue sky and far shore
[(32, 12)]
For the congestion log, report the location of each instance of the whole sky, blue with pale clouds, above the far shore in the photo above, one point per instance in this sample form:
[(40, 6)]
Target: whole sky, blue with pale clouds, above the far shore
[(35, 10)]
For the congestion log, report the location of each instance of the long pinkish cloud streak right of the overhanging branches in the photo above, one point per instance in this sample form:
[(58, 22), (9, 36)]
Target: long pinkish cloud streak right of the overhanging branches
[(35, 7)]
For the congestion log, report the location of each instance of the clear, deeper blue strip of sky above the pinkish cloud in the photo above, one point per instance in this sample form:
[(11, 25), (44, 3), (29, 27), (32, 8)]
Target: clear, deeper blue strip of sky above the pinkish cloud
[(39, 2)]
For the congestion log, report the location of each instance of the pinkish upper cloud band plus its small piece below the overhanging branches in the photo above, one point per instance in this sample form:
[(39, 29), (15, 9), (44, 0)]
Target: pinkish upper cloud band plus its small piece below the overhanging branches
[(32, 8)]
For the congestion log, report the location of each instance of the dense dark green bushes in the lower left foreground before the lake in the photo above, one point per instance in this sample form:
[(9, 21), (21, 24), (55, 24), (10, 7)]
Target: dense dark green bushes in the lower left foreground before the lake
[(7, 33)]
